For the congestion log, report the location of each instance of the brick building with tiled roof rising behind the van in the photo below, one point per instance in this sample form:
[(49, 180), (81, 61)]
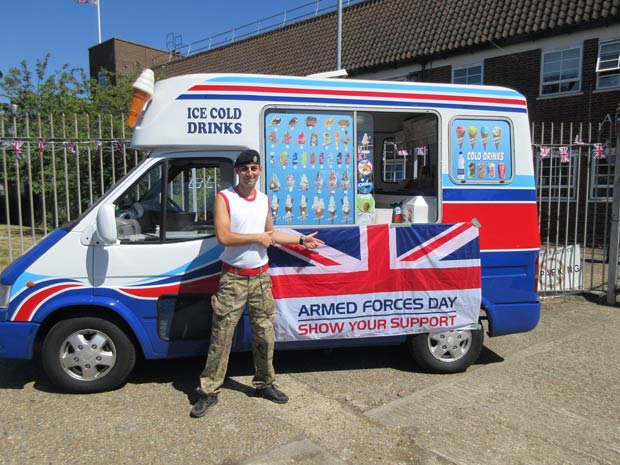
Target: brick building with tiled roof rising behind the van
[(563, 55)]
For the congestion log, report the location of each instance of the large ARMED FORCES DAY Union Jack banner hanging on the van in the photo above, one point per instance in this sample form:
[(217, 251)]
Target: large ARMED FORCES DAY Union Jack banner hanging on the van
[(359, 268)]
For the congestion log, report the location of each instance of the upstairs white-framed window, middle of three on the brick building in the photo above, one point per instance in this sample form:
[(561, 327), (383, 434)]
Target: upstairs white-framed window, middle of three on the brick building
[(561, 72)]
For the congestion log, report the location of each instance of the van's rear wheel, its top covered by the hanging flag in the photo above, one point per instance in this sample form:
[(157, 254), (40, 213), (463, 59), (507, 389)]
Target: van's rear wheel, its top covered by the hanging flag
[(446, 352)]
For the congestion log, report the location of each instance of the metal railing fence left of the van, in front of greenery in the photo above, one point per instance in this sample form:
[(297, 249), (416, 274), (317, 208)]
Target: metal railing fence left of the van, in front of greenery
[(55, 168)]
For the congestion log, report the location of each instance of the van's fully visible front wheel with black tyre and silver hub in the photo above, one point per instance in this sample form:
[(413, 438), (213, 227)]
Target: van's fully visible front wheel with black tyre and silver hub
[(84, 355)]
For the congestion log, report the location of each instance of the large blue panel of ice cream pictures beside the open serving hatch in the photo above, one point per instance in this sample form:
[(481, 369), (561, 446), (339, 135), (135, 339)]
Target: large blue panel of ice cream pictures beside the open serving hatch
[(309, 167)]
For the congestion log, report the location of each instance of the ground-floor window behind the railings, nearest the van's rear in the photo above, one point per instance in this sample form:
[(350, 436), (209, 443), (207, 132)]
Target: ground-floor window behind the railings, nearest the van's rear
[(557, 180)]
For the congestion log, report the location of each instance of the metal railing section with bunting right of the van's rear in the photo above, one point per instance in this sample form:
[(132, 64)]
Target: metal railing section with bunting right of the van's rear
[(574, 166)]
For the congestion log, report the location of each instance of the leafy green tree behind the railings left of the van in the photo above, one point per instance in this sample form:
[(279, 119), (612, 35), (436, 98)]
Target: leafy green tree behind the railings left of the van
[(77, 118)]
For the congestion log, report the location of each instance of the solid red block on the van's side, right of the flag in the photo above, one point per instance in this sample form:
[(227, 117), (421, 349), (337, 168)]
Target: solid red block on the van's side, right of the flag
[(504, 225)]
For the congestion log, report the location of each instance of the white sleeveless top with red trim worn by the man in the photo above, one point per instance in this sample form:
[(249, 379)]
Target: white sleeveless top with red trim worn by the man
[(247, 216)]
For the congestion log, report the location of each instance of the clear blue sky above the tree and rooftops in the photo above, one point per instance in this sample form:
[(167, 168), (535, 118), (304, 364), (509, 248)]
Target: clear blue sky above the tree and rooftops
[(67, 29)]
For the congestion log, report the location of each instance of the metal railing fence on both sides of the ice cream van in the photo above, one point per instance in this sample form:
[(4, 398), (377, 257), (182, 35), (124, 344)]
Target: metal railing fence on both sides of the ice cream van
[(52, 170)]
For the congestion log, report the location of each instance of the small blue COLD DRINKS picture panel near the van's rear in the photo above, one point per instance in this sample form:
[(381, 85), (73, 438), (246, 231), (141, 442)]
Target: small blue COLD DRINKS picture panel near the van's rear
[(481, 151)]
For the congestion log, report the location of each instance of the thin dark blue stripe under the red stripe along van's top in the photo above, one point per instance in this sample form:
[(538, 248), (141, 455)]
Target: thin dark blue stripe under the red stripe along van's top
[(348, 101)]
